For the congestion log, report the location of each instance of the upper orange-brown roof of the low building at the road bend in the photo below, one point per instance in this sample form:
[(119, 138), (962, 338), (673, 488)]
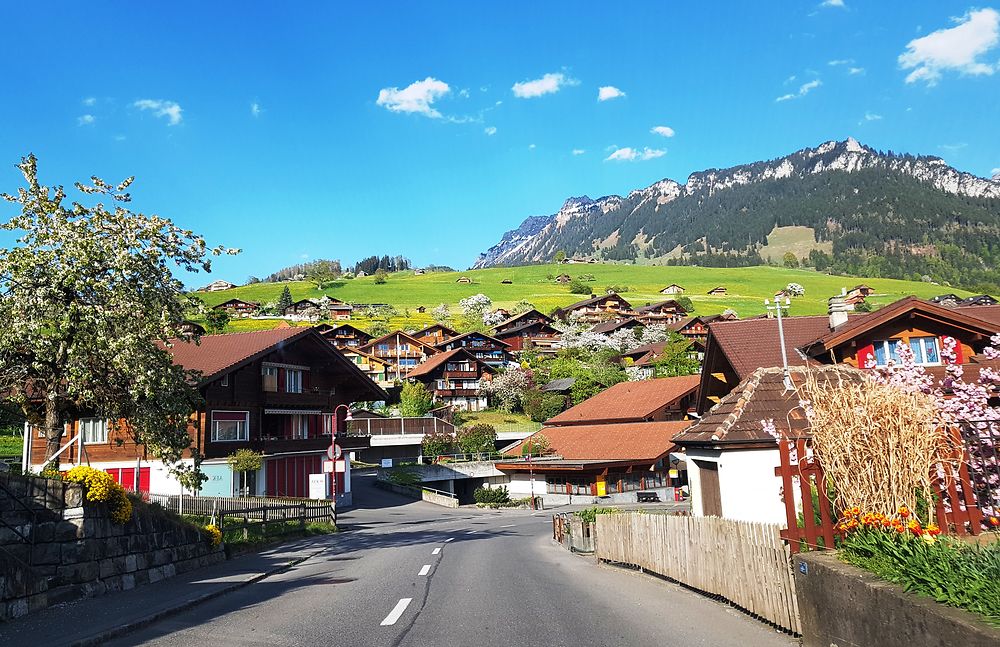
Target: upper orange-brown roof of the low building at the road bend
[(628, 401)]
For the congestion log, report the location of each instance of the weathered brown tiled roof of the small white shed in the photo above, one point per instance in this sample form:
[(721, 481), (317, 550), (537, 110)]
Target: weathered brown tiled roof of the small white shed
[(736, 419)]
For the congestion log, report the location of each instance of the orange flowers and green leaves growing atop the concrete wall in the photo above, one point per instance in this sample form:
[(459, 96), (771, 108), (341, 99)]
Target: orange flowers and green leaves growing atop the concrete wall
[(900, 550)]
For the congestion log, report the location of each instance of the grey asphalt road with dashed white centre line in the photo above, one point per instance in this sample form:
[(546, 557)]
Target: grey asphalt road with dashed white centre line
[(414, 574)]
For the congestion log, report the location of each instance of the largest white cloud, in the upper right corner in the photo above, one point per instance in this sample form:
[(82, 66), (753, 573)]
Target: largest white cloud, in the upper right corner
[(958, 48)]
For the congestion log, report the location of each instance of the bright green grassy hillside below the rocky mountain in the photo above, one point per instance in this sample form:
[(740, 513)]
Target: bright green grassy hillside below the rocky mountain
[(748, 287)]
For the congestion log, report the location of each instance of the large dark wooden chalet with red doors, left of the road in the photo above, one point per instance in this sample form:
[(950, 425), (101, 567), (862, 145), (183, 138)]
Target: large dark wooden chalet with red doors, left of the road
[(274, 391)]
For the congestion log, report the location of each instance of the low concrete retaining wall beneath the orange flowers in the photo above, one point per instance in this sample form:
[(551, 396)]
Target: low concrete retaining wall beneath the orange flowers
[(840, 604)]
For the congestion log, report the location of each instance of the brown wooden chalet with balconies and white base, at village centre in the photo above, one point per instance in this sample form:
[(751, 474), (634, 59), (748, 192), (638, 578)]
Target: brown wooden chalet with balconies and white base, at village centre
[(455, 378)]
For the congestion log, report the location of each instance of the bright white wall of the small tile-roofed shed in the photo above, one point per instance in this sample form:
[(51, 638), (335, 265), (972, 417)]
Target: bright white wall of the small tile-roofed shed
[(750, 490)]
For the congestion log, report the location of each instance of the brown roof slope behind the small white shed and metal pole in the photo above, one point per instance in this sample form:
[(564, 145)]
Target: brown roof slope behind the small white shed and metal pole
[(750, 344)]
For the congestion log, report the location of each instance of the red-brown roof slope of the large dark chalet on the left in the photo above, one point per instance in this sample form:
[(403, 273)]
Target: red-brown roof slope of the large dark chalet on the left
[(212, 354)]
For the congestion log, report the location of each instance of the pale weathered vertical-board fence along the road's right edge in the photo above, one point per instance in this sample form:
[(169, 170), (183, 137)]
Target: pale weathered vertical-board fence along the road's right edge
[(746, 563)]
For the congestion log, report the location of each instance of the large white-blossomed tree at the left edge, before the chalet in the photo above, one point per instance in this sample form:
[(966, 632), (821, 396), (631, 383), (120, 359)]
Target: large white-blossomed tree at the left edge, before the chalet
[(89, 304)]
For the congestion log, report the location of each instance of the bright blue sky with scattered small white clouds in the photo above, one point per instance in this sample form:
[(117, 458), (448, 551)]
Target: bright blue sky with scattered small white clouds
[(322, 130)]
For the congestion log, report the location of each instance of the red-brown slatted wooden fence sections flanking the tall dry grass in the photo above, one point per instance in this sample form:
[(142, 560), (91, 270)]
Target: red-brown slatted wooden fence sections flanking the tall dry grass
[(811, 517)]
